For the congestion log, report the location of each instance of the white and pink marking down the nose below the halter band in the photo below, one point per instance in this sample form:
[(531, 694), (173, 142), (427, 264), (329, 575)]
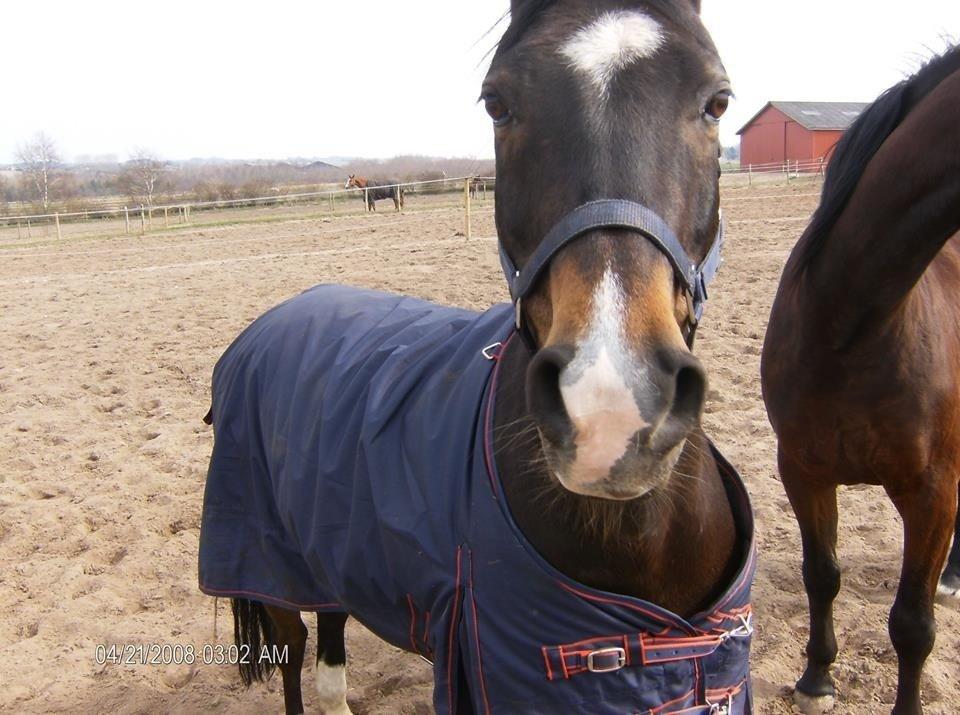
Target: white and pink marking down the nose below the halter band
[(598, 398)]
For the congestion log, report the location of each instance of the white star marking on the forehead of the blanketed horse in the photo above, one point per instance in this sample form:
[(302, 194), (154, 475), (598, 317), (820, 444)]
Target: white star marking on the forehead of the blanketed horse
[(611, 43)]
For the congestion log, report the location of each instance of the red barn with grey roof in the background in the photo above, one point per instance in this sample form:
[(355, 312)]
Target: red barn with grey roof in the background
[(801, 132)]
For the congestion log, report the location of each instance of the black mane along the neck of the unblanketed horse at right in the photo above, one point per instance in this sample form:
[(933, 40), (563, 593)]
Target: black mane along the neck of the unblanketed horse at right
[(861, 141)]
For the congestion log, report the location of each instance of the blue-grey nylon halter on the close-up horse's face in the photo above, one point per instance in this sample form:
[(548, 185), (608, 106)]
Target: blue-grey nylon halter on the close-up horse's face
[(617, 213)]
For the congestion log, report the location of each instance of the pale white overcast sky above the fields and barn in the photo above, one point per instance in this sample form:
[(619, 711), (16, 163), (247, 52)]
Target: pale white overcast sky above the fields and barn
[(377, 78)]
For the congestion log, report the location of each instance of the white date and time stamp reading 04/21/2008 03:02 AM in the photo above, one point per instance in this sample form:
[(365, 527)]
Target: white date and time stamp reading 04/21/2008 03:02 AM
[(160, 654)]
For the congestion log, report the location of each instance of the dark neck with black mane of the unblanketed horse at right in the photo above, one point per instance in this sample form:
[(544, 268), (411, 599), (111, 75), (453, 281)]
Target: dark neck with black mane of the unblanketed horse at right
[(891, 200)]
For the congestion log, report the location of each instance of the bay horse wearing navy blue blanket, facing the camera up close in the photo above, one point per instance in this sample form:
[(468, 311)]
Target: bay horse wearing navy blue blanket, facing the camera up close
[(524, 496)]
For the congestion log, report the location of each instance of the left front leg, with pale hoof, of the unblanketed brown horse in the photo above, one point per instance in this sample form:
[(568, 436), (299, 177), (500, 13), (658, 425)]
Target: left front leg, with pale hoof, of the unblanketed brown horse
[(815, 505)]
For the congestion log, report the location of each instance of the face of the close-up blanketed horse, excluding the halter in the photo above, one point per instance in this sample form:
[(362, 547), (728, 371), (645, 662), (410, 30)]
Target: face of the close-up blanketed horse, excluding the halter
[(591, 100)]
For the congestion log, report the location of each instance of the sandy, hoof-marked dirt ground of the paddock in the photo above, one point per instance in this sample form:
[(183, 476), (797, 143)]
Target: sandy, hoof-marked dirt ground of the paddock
[(107, 350)]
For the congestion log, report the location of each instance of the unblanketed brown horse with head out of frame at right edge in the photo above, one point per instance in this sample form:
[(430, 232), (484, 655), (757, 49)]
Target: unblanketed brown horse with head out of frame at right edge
[(862, 360)]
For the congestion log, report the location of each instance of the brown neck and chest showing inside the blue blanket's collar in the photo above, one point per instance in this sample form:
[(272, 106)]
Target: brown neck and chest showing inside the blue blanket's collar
[(675, 548)]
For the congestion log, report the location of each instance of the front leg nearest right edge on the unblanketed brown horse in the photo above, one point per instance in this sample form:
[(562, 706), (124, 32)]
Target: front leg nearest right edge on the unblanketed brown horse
[(928, 516)]
